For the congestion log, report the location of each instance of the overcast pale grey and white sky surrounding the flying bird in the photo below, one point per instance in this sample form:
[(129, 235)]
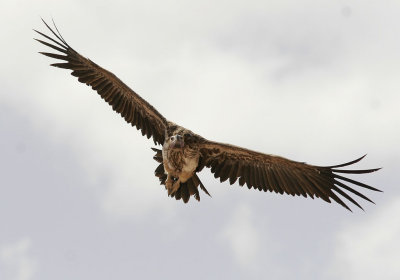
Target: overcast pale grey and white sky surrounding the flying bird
[(311, 80)]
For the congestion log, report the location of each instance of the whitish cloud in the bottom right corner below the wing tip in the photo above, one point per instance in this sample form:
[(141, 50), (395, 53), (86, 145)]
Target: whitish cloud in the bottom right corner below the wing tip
[(370, 249)]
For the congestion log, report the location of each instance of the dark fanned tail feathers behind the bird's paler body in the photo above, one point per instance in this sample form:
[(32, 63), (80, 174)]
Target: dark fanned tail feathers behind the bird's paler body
[(187, 189)]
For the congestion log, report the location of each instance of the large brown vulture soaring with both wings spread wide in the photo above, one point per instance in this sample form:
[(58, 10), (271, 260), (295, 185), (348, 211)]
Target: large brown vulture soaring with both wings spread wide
[(185, 153)]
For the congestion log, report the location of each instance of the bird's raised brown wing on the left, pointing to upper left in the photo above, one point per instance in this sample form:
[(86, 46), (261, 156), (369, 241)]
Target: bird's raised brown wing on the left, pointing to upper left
[(134, 109)]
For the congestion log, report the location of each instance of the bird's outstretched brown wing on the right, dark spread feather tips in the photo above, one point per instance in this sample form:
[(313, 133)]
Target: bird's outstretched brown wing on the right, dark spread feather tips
[(281, 175)]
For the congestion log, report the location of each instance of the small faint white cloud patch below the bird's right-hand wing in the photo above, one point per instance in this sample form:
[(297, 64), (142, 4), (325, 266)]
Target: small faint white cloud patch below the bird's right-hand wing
[(242, 236)]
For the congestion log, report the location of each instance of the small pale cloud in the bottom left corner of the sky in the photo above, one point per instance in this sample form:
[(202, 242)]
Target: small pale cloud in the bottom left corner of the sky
[(16, 263)]
